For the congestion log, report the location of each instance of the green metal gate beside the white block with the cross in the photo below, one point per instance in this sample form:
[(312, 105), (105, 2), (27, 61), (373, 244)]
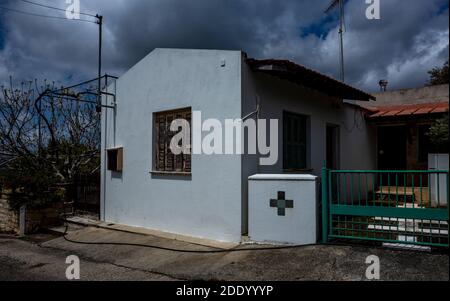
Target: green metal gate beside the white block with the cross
[(407, 207)]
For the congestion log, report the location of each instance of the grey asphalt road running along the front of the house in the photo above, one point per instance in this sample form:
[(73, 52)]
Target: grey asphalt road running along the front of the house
[(28, 260)]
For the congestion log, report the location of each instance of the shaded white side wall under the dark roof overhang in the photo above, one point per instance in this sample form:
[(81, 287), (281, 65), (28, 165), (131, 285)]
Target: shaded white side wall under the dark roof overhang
[(357, 139)]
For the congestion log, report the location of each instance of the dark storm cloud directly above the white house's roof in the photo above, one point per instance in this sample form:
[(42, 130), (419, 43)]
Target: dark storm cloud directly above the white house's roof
[(214, 24)]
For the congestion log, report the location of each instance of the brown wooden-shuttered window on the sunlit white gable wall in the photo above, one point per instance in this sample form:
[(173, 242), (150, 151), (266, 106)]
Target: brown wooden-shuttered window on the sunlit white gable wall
[(165, 159)]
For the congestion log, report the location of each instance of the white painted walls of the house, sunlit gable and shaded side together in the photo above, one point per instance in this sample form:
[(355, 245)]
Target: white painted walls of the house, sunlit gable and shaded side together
[(213, 202)]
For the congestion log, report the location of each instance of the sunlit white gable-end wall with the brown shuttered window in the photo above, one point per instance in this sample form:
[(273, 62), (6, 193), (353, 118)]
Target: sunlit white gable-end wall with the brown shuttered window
[(207, 204)]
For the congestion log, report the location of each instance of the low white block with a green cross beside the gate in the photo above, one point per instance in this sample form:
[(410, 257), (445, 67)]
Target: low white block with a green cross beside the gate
[(283, 209)]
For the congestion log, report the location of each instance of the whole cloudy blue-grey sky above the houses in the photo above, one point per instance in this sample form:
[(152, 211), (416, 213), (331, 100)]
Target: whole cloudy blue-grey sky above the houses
[(410, 38)]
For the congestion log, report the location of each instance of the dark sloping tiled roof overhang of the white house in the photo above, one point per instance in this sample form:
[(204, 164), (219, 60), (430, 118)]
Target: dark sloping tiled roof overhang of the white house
[(299, 74)]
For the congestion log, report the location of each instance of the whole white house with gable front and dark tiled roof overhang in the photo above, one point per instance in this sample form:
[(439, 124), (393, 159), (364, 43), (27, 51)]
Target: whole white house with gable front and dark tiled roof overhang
[(207, 195)]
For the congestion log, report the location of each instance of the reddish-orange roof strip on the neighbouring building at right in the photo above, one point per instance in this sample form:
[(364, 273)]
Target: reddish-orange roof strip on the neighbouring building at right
[(409, 110)]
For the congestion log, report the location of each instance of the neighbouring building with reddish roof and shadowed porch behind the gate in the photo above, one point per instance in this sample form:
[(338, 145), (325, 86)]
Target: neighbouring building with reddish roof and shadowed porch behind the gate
[(403, 119)]
